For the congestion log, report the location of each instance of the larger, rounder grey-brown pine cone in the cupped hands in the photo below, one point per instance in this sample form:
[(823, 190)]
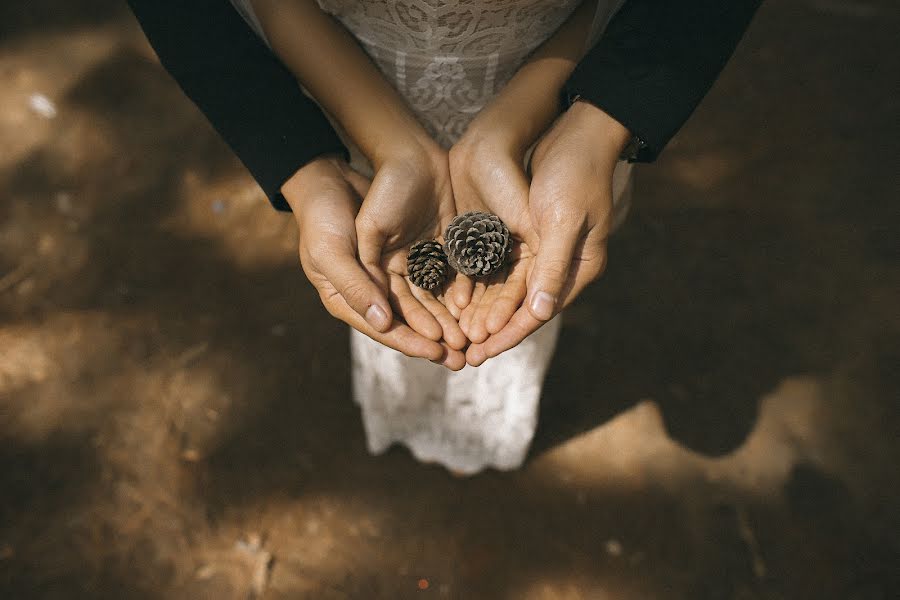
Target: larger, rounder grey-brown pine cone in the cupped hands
[(477, 243)]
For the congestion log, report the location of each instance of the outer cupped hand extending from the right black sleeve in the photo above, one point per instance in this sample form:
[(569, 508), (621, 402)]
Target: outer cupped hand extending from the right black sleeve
[(570, 205)]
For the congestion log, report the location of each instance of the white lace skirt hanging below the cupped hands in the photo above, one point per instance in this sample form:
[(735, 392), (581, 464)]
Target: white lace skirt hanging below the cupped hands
[(468, 420)]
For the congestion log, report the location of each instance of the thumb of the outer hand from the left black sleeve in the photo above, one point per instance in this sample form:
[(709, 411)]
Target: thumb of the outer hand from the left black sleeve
[(357, 289)]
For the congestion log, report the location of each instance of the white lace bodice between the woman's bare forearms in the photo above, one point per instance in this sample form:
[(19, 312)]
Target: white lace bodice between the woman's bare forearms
[(448, 58)]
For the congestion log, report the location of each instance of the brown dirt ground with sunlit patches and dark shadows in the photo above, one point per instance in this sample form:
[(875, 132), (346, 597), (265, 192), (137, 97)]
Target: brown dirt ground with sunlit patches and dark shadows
[(720, 422)]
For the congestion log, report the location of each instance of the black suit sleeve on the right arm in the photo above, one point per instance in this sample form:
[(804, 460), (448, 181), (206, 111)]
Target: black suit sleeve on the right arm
[(657, 60)]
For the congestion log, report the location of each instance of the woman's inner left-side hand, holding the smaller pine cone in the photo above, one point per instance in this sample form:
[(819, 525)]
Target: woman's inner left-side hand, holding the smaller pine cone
[(410, 199)]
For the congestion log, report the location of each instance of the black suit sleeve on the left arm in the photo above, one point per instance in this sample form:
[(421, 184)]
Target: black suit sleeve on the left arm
[(250, 98)]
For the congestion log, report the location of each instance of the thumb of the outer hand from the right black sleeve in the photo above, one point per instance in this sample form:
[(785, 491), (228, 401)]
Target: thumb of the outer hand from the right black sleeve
[(550, 272)]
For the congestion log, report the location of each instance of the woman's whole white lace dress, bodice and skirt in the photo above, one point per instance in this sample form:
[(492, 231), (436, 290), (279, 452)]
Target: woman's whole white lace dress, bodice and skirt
[(448, 59)]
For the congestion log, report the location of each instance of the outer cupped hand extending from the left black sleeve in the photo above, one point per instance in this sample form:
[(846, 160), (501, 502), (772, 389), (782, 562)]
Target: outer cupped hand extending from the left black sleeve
[(325, 196)]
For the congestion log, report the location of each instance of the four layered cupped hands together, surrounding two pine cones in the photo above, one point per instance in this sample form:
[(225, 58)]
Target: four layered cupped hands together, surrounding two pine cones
[(355, 233)]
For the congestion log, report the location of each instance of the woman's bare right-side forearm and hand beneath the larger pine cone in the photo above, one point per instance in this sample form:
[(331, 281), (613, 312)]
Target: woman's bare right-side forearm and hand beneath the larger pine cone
[(487, 168)]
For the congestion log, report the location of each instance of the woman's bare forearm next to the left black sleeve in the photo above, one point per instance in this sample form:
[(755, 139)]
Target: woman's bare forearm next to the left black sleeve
[(340, 76)]
